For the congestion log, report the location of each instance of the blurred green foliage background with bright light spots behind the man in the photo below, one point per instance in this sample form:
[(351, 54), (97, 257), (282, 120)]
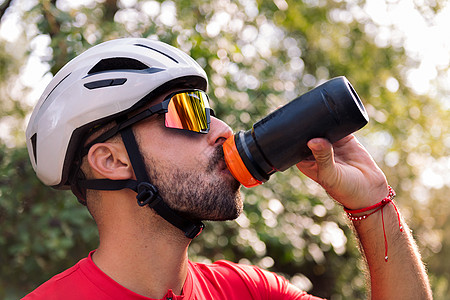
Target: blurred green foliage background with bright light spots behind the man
[(259, 54)]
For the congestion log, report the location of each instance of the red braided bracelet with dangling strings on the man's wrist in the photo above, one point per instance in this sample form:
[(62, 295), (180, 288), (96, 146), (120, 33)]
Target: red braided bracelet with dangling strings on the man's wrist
[(376, 207)]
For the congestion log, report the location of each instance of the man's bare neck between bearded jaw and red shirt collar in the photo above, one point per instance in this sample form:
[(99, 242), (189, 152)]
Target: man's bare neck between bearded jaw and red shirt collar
[(143, 252)]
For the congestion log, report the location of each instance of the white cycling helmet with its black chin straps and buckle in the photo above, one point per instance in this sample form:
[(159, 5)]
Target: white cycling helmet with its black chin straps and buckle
[(105, 83)]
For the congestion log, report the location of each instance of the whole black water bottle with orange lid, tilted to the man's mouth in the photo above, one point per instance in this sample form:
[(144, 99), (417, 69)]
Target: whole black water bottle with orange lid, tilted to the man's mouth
[(332, 110)]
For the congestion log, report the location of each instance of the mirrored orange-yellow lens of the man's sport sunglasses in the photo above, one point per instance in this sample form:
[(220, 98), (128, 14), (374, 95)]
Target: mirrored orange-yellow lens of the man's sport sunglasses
[(189, 110)]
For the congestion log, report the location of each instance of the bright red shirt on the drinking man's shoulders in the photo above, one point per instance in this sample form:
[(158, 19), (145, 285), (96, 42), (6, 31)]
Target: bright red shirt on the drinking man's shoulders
[(221, 280)]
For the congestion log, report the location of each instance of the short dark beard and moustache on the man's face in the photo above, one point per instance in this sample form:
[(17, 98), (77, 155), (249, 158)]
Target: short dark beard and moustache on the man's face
[(198, 194)]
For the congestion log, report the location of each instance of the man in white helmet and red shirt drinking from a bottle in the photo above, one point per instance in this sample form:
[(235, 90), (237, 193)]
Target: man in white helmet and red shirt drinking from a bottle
[(129, 119)]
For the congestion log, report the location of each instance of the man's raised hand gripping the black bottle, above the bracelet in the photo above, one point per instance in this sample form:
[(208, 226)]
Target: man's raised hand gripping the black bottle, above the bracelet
[(346, 171)]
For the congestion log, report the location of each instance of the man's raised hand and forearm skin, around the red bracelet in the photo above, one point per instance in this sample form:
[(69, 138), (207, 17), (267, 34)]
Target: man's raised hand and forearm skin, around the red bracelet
[(349, 174)]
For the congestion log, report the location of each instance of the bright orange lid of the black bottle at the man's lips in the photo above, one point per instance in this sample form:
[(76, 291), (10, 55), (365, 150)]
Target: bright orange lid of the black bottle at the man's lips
[(236, 165)]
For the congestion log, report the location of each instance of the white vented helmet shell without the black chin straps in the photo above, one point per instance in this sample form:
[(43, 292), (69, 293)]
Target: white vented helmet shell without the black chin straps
[(102, 83)]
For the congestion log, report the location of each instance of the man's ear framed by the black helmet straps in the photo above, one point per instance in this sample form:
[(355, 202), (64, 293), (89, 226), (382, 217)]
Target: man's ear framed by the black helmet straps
[(110, 160)]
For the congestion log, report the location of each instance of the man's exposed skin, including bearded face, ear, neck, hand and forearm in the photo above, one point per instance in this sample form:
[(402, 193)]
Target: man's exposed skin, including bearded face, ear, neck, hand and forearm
[(132, 236)]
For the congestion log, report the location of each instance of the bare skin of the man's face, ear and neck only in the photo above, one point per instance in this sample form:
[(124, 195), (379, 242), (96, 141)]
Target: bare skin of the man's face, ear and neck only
[(131, 236)]
